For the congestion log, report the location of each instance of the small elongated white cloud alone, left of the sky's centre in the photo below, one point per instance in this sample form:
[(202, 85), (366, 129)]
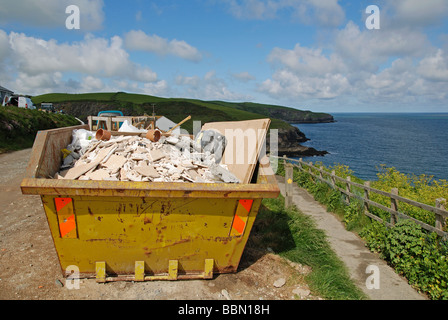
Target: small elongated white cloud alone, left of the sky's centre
[(139, 40)]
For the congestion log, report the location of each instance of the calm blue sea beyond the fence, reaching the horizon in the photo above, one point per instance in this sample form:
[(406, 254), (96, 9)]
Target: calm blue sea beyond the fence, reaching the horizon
[(415, 143)]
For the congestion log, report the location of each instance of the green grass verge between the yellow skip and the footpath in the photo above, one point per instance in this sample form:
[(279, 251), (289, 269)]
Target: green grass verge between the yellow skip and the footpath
[(294, 236)]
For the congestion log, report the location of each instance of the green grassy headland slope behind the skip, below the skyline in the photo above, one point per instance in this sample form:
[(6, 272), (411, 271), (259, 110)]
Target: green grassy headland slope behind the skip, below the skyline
[(176, 108)]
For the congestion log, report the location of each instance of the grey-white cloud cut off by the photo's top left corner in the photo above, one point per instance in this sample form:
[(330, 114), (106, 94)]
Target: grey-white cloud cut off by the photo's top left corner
[(51, 13)]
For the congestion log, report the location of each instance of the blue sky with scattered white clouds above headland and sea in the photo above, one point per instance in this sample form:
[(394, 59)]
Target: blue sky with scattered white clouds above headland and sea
[(318, 55)]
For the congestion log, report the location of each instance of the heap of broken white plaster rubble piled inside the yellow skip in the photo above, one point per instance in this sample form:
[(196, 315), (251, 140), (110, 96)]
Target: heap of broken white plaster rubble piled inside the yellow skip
[(134, 158)]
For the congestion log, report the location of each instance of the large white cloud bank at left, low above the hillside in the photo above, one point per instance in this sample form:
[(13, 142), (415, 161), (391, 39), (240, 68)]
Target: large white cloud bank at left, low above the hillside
[(43, 64)]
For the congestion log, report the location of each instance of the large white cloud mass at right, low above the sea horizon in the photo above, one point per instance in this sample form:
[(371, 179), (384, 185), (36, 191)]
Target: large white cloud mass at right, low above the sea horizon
[(397, 66)]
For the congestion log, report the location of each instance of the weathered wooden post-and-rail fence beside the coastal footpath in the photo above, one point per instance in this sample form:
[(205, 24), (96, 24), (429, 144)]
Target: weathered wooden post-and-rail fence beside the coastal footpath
[(441, 214)]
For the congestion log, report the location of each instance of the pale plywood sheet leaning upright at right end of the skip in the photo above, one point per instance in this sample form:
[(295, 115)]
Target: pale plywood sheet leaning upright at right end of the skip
[(245, 140)]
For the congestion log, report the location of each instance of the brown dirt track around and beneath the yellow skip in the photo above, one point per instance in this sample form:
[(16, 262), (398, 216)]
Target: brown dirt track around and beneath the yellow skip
[(29, 268)]
